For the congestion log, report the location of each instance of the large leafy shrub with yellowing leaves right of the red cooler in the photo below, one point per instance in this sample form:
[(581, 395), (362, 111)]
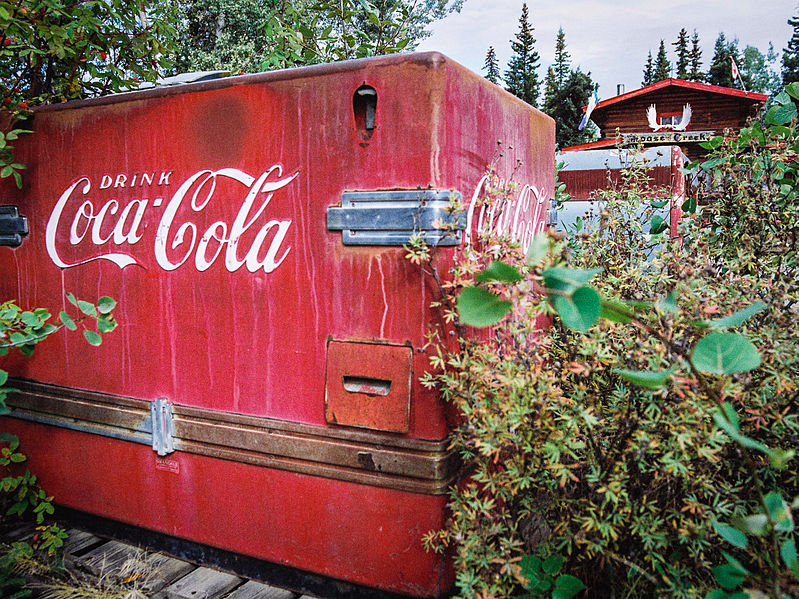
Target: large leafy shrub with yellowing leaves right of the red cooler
[(647, 436)]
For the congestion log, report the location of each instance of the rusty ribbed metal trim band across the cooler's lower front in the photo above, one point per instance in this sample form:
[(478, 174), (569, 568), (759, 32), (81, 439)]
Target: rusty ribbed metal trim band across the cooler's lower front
[(372, 458)]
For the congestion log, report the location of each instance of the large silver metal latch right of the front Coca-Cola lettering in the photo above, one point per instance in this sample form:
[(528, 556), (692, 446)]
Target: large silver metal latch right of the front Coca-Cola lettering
[(393, 217)]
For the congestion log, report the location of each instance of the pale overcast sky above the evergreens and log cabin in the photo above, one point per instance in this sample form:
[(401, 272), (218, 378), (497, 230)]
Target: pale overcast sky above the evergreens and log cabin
[(608, 38)]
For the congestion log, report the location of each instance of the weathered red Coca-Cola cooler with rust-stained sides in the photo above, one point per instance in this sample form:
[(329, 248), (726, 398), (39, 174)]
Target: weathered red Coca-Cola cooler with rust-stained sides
[(261, 394)]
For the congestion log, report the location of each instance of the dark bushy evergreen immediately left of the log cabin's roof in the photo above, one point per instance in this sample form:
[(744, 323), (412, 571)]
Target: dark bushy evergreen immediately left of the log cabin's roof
[(565, 106)]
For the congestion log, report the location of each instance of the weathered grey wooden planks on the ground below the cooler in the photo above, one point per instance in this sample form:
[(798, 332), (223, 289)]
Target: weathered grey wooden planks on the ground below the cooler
[(155, 575)]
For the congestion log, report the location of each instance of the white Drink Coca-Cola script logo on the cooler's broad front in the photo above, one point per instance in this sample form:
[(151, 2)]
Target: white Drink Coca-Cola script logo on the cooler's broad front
[(104, 225)]
